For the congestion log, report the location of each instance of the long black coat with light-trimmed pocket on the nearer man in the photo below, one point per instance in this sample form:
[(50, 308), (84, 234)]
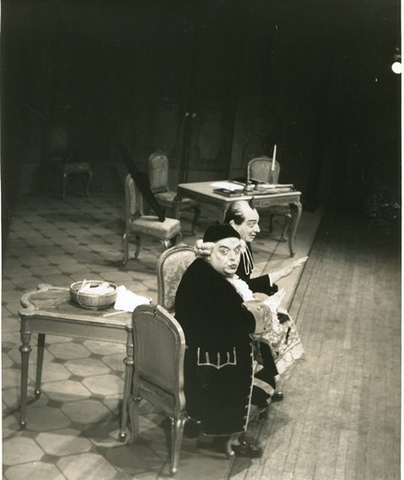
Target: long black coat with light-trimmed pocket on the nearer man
[(218, 360)]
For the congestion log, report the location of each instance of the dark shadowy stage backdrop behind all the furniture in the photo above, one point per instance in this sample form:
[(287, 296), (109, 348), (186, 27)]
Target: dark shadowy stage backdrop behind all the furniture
[(312, 76)]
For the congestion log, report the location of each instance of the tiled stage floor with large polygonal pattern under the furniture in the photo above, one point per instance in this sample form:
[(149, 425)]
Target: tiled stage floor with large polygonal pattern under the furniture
[(72, 429)]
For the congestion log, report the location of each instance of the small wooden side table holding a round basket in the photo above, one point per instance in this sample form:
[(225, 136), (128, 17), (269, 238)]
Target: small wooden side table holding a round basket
[(50, 310)]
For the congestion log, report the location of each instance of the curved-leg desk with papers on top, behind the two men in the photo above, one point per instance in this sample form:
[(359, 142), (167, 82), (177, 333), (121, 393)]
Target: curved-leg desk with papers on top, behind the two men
[(203, 193)]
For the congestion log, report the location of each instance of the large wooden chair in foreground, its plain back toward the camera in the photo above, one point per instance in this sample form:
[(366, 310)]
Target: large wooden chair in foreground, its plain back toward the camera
[(159, 349)]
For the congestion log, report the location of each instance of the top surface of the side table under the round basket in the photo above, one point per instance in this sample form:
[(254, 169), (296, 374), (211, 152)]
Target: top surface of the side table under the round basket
[(55, 303)]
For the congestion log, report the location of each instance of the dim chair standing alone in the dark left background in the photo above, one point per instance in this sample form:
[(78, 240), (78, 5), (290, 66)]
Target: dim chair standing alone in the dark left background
[(65, 160)]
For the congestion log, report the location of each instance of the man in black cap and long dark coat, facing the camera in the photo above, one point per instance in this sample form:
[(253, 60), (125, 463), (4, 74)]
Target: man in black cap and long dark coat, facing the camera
[(217, 323)]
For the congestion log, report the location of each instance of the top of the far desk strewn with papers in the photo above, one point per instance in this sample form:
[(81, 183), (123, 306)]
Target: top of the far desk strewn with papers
[(205, 189)]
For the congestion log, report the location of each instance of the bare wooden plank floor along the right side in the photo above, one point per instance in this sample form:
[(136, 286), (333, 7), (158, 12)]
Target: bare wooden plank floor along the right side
[(341, 415)]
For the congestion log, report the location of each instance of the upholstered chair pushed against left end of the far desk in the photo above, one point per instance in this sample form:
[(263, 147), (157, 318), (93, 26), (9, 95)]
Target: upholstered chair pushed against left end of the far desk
[(158, 175)]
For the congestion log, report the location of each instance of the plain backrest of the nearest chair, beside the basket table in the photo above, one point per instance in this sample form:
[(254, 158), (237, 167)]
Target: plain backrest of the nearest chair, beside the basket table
[(159, 348)]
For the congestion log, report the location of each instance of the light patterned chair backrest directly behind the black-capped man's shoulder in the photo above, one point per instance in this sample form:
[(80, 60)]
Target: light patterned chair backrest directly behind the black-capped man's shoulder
[(171, 266)]
